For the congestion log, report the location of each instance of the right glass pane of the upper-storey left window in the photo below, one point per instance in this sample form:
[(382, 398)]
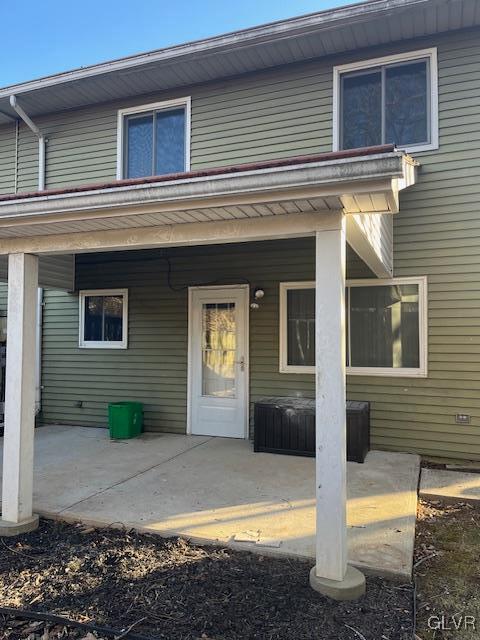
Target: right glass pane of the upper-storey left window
[(170, 141)]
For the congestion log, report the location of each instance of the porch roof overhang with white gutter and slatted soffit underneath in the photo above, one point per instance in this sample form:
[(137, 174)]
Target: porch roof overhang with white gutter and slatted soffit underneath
[(365, 181)]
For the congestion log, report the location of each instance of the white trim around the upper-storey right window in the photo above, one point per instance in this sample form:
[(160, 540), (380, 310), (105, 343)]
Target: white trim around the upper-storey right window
[(431, 53)]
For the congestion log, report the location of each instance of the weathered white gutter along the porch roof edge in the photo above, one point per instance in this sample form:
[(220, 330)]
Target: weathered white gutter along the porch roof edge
[(214, 187)]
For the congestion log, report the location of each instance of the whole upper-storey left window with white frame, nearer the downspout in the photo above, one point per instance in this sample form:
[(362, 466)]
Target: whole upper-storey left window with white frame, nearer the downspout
[(154, 139)]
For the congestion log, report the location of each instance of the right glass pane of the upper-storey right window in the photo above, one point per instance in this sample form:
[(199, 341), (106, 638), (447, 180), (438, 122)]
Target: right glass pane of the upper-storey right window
[(406, 103)]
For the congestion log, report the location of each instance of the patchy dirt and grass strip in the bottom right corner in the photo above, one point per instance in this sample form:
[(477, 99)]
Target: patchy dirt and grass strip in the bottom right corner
[(447, 572)]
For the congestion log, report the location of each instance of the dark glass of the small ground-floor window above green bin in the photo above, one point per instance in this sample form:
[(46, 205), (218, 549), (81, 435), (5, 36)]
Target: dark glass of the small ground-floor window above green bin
[(103, 320)]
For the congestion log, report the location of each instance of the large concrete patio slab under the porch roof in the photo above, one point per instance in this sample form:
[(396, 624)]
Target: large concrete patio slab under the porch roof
[(218, 490)]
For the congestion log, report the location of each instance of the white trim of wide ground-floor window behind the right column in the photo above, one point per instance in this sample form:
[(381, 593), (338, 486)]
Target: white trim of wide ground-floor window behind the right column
[(420, 372)]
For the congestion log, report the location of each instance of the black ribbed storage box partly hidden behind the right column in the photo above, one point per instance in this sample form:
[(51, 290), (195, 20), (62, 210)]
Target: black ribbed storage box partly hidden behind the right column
[(287, 425)]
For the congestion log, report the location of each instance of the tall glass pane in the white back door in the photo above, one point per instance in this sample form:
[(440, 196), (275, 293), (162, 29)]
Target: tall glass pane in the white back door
[(219, 349)]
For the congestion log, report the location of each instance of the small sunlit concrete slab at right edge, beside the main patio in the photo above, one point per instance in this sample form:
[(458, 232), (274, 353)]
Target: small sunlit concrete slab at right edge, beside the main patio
[(451, 486)]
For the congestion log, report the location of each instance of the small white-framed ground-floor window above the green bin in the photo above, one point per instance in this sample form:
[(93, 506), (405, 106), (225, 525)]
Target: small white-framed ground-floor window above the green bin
[(104, 318)]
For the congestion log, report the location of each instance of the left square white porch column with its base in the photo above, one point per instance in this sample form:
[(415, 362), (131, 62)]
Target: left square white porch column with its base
[(17, 481)]
